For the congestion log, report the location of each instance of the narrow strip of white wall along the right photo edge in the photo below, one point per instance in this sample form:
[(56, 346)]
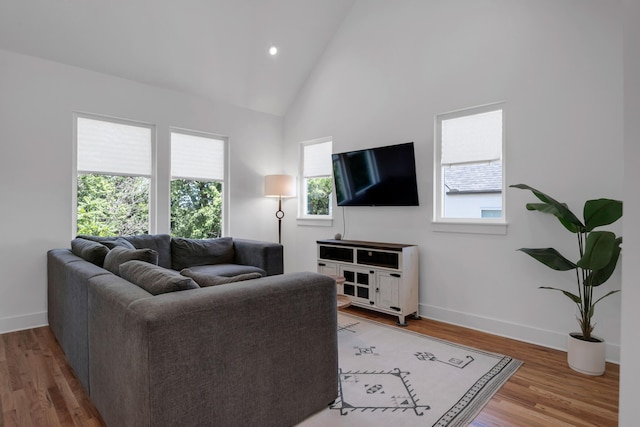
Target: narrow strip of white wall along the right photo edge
[(630, 350)]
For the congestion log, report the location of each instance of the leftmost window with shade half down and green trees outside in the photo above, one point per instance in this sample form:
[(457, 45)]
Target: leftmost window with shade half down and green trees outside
[(114, 176)]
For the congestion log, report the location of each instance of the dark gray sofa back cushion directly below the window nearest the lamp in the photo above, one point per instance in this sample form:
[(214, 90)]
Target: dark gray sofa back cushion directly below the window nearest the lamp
[(187, 253)]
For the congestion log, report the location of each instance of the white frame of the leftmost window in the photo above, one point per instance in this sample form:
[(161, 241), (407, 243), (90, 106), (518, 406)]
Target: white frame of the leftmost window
[(153, 216)]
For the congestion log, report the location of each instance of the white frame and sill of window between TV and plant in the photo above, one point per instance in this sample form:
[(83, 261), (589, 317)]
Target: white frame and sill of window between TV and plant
[(470, 225)]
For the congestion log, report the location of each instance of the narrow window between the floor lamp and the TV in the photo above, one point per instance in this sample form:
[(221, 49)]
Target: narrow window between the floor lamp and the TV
[(316, 182)]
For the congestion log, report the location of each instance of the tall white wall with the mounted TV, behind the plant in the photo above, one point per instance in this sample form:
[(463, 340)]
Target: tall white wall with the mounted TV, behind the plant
[(557, 65)]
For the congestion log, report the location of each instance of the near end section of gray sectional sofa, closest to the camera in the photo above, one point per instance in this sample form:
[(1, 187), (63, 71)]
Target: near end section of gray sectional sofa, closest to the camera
[(259, 352)]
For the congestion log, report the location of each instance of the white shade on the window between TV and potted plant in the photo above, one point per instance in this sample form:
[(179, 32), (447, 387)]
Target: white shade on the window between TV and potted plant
[(472, 139)]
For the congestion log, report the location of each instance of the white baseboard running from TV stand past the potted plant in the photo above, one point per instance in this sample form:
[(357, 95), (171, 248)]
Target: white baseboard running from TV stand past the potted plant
[(501, 328)]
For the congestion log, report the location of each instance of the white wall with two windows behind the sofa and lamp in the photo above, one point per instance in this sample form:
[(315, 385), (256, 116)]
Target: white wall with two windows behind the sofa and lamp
[(37, 101)]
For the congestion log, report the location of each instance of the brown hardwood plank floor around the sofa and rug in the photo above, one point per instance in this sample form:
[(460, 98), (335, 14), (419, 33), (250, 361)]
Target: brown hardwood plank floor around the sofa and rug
[(38, 388)]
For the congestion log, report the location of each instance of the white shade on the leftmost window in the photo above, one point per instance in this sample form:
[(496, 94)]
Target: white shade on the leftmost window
[(113, 148)]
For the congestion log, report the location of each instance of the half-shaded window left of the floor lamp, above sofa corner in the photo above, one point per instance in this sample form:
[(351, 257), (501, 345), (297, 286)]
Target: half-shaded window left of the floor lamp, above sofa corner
[(197, 184)]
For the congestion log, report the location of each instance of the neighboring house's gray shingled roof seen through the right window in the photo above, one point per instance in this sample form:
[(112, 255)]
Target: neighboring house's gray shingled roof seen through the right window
[(473, 178)]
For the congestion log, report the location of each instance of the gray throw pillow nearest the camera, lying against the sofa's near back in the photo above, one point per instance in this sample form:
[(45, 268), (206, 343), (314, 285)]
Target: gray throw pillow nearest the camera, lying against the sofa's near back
[(154, 279)]
